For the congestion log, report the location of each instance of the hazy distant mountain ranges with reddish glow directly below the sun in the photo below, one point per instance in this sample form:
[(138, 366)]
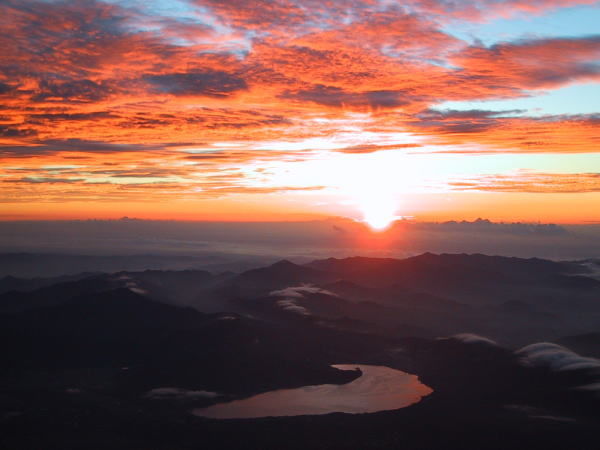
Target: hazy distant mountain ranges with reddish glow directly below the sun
[(509, 299)]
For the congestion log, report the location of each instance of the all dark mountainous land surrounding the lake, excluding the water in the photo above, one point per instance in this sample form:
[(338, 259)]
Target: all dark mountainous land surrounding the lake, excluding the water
[(119, 360)]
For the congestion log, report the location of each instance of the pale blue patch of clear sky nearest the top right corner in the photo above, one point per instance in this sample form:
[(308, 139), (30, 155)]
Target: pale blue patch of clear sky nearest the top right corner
[(570, 22)]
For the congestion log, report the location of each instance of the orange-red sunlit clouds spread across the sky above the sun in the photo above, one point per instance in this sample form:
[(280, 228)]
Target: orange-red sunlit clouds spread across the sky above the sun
[(206, 93)]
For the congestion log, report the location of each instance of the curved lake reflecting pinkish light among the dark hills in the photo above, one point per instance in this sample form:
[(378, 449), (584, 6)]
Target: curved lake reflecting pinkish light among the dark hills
[(379, 388)]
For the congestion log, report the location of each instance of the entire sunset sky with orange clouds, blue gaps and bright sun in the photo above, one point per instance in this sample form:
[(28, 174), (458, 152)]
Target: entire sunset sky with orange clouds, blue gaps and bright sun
[(256, 110)]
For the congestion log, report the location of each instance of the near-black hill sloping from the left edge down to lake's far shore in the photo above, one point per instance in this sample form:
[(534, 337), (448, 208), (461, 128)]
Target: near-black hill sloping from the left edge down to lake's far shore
[(142, 344)]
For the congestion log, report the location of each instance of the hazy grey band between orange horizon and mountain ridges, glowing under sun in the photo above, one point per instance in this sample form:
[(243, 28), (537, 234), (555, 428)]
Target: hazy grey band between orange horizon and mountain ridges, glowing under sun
[(55, 248)]
